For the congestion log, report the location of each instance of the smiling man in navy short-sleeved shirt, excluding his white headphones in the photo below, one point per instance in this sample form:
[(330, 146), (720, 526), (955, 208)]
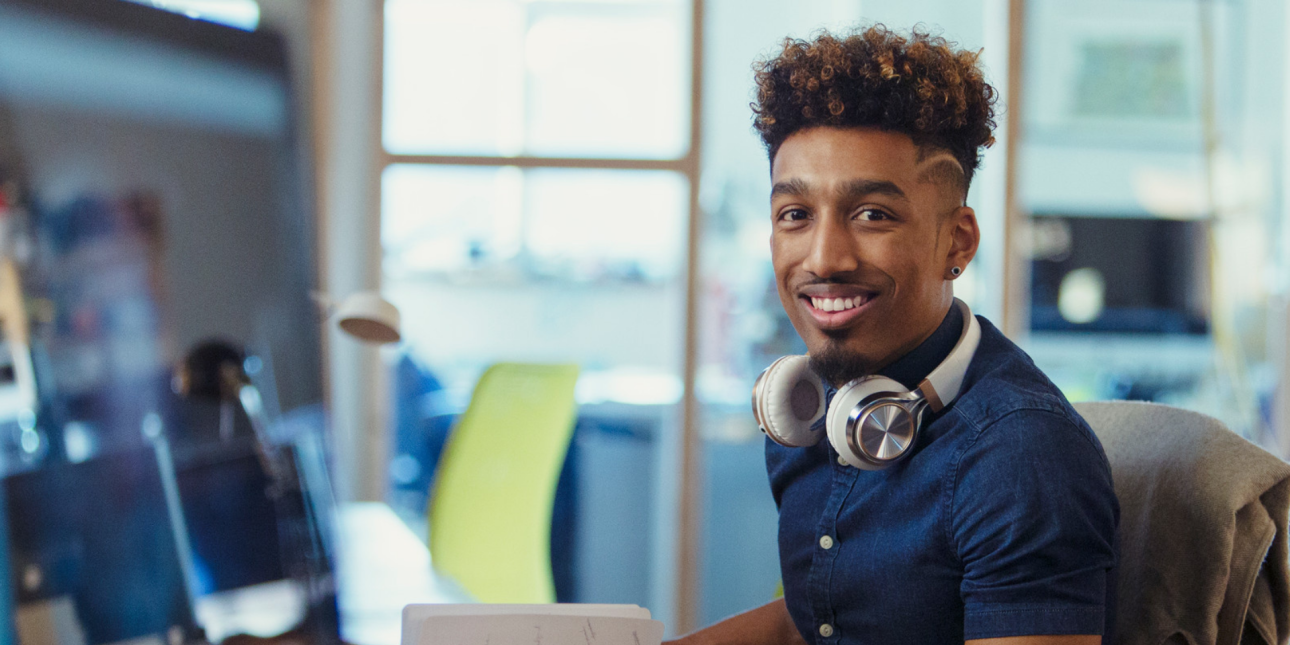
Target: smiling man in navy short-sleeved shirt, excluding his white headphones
[(1000, 526)]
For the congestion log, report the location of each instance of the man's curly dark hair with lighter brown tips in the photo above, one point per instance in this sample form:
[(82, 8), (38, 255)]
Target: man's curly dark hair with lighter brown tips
[(917, 86)]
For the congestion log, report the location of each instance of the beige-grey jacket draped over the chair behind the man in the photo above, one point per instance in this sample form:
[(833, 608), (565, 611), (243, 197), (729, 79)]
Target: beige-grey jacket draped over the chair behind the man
[(1203, 528)]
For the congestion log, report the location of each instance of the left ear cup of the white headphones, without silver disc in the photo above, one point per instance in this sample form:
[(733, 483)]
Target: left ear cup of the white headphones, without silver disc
[(790, 401)]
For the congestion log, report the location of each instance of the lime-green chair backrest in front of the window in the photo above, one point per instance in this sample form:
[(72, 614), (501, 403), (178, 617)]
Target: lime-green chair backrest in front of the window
[(491, 509)]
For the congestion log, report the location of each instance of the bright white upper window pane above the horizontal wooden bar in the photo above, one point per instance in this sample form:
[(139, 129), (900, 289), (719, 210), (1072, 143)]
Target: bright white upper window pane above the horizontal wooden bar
[(550, 79)]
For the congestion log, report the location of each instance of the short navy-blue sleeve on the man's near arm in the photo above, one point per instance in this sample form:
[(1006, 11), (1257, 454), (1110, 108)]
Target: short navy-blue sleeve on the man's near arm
[(1034, 519)]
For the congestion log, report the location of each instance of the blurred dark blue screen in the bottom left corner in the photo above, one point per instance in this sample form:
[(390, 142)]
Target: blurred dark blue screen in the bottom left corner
[(92, 549)]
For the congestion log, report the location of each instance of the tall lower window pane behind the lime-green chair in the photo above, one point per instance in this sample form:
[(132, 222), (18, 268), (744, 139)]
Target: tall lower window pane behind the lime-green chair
[(493, 265)]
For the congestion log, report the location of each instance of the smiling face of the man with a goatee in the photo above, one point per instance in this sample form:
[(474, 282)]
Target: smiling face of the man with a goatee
[(866, 232)]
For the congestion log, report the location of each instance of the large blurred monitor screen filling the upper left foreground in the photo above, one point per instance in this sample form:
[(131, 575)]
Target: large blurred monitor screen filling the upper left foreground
[(153, 202)]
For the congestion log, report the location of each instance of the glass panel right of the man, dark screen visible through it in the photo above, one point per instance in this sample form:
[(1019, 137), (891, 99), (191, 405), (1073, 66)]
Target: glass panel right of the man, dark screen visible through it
[(1144, 284)]
